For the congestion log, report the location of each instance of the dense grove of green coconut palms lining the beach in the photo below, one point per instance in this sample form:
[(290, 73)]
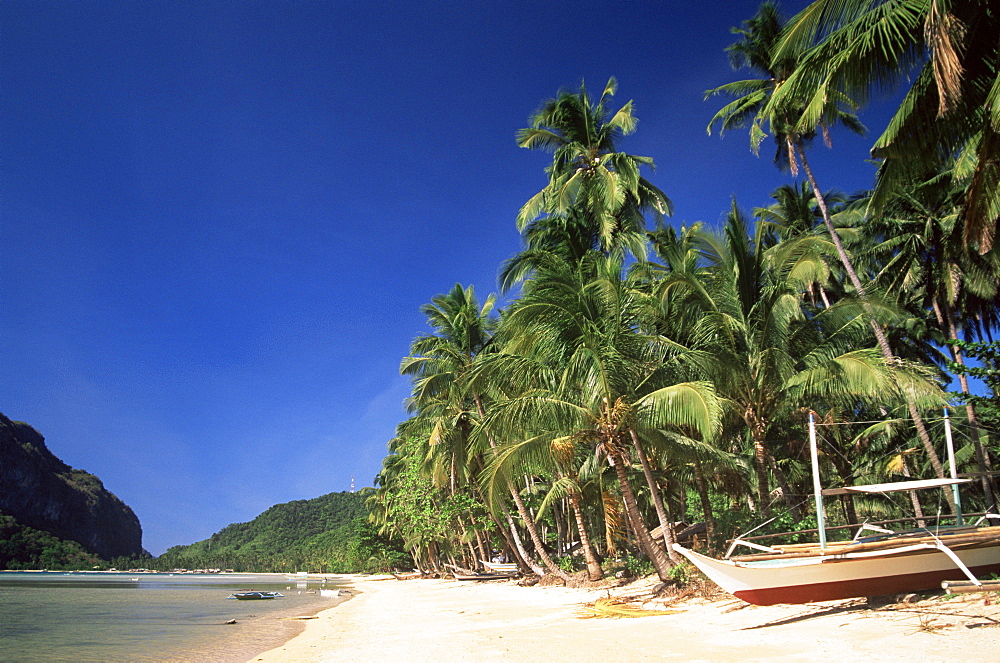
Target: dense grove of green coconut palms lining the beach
[(644, 376)]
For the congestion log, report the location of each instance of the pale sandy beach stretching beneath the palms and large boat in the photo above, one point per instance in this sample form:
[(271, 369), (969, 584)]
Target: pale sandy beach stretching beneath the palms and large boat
[(446, 620)]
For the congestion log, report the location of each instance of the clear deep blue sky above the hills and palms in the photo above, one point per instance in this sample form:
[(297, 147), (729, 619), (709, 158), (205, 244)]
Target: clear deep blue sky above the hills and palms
[(219, 219)]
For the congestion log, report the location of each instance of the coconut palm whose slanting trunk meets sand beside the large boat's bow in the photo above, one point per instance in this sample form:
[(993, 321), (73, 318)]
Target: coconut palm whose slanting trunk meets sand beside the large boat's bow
[(603, 383)]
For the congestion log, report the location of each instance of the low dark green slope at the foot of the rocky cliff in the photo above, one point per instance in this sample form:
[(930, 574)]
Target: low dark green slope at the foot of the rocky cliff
[(23, 547)]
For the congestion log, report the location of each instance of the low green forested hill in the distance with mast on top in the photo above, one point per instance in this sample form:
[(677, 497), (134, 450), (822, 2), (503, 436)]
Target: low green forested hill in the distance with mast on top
[(327, 533)]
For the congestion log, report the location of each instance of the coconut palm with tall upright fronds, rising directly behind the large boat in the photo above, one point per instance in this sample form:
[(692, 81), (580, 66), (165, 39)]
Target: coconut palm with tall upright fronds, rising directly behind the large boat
[(746, 298)]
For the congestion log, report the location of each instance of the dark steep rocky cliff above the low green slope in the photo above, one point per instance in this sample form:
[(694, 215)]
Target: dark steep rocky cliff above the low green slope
[(42, 492)]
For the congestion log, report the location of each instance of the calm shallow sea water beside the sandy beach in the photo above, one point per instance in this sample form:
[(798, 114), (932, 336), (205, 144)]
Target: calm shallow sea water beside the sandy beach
[(54, 616)]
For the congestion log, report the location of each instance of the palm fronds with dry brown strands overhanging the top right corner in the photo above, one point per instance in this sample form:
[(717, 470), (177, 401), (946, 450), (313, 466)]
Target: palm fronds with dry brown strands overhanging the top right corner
[(948, 52)]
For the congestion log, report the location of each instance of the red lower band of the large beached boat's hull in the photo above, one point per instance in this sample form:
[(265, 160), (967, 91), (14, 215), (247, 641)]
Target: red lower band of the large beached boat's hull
[(848, 589)]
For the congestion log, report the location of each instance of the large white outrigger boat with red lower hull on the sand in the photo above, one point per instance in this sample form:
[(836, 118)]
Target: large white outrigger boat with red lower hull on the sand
[(887, 563)]
